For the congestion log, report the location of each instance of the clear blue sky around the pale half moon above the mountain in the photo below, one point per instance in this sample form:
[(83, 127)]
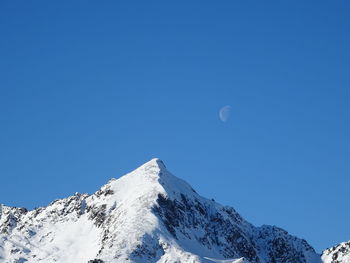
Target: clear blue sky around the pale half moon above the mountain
[(89, 90)]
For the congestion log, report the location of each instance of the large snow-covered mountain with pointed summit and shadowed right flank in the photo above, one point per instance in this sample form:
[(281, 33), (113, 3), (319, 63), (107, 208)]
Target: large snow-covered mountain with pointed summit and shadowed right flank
[(146, 216)]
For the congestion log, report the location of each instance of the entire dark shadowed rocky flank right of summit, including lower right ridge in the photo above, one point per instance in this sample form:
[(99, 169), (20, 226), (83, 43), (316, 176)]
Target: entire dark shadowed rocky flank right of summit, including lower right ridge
[(224, 229)]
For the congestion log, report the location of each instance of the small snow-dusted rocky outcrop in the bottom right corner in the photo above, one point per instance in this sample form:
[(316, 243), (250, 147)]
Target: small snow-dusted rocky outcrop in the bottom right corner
[(337, 254)]
